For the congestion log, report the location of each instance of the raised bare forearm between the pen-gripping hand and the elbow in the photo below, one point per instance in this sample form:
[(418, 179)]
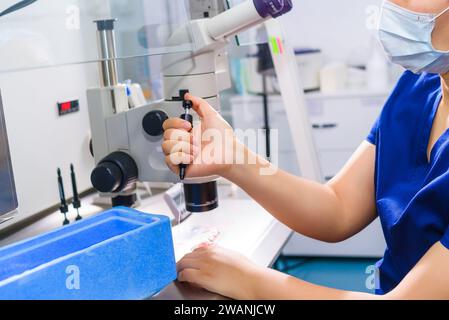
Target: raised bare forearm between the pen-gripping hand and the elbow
[(307, 207)]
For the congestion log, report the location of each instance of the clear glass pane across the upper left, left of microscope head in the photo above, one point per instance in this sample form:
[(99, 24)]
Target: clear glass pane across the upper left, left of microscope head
[(50, 33)]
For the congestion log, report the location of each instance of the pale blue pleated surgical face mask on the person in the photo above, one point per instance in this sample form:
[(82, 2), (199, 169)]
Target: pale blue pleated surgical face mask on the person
[(407, 39)]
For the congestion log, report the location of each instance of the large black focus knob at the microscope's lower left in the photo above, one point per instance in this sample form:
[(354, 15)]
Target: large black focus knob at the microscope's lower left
[(114, 173)]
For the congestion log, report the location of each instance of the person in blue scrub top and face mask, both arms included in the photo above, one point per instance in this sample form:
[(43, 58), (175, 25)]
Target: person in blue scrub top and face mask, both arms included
[(400, 174)]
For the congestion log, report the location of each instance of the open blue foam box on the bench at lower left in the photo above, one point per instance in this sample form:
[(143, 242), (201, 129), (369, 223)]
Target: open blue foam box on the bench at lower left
[(118, 254)]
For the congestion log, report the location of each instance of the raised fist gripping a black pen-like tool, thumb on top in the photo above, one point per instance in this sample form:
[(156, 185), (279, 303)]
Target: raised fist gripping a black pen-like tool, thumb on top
[(208, 149)]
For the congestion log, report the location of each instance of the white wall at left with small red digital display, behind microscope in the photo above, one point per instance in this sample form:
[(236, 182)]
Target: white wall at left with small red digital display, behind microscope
[(40, 141)]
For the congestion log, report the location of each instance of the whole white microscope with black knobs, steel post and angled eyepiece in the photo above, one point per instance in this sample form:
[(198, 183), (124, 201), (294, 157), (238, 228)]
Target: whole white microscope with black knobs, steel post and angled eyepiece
[(126, 142)]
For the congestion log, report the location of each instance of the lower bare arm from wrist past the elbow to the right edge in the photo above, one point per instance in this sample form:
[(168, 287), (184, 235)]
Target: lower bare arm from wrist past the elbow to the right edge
[(427, 280)]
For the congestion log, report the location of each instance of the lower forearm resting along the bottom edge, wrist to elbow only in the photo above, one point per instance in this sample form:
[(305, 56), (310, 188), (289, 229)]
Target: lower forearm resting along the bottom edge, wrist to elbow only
[(267, 284)]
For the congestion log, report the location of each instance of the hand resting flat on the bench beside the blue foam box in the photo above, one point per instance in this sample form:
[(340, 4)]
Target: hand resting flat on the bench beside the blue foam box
[(220, 271)]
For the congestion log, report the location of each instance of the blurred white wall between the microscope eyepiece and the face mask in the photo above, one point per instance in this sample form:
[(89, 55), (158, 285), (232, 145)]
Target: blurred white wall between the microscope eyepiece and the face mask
[(339, 27)]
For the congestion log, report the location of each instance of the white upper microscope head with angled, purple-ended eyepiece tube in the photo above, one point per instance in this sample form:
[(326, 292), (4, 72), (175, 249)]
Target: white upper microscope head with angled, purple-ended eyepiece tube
[(204, 70)]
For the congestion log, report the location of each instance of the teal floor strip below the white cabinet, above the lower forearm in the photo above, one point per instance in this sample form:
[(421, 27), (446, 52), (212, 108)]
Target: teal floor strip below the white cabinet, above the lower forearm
[(339, 273)]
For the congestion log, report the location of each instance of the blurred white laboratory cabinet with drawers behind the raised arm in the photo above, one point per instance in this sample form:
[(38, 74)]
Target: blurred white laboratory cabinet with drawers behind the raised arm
[(340, 123)]
